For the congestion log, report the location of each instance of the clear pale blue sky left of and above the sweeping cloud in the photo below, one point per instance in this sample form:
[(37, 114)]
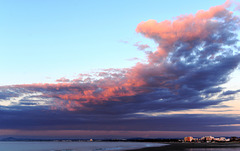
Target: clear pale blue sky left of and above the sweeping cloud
[(41, 41)]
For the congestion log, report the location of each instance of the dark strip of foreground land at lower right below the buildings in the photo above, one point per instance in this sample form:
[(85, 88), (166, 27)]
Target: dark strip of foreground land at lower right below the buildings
[(186, 146)]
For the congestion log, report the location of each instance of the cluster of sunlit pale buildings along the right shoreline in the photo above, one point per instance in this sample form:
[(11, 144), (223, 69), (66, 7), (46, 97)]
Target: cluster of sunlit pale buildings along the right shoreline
[(206, 139)]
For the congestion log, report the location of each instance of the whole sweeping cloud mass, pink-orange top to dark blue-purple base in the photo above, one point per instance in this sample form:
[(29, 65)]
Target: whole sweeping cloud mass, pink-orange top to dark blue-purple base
[(195, 56)]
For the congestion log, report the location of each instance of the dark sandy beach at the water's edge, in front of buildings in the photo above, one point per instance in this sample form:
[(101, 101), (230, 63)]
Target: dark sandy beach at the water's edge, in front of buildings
[(194, 147)]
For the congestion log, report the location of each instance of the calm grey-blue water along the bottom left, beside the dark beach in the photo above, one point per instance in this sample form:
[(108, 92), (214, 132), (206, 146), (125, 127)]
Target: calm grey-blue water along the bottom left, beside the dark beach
[(73, 146)]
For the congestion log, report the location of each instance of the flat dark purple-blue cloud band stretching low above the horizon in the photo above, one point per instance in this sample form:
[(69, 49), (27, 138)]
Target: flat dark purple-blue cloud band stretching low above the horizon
[(46, 120)]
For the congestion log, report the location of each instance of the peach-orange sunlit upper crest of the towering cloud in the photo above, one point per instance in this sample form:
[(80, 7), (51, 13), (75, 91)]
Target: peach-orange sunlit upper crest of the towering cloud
[(185, 28)]
